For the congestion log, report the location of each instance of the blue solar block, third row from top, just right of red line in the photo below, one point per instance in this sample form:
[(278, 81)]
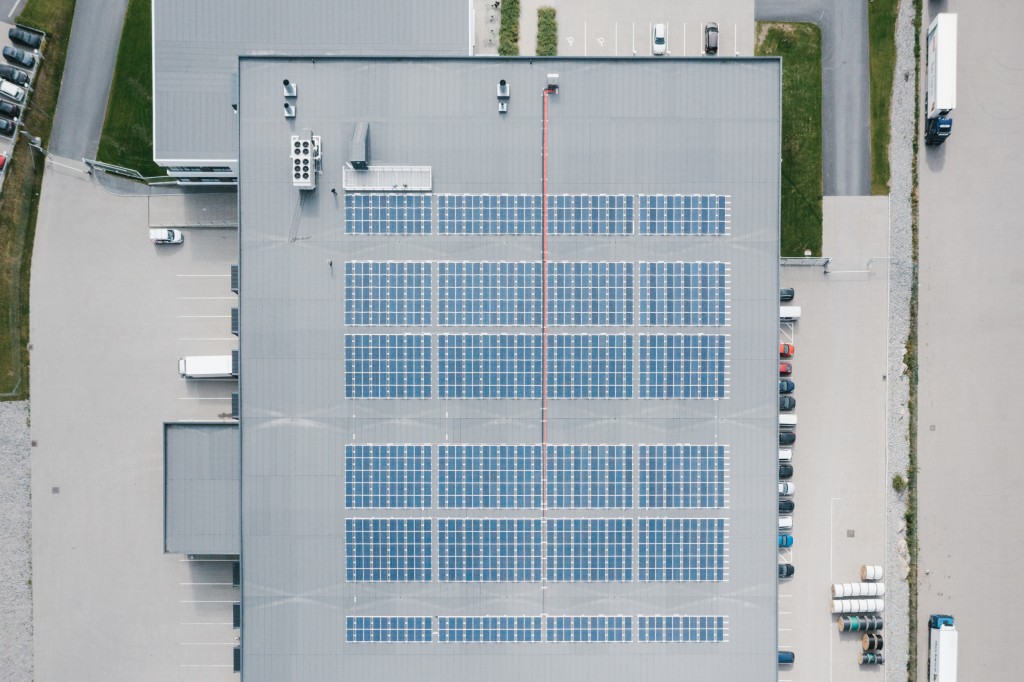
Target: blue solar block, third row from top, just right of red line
[(590, 366)]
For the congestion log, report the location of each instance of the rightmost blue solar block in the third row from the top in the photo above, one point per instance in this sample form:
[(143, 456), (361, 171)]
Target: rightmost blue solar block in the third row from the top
[(682, 366)]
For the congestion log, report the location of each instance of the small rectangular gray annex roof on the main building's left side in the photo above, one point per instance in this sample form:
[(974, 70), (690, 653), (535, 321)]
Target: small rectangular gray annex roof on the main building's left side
[(202, 479)]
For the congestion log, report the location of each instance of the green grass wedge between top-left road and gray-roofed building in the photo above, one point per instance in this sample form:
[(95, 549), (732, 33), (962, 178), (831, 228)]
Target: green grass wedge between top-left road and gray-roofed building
[(127, 139)]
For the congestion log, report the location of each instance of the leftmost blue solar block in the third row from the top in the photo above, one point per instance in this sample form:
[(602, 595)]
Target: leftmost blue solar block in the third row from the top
[(388, 366)]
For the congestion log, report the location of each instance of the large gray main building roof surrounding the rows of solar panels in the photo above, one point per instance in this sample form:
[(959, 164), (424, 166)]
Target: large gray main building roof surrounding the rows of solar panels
[(617, 126)]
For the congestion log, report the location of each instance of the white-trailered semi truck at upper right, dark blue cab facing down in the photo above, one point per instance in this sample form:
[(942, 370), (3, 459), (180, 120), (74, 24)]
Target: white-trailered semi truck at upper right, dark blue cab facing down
[(941, 91)]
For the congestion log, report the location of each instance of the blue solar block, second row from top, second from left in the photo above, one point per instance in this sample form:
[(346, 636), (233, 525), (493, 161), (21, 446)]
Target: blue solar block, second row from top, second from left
[(484, 293)]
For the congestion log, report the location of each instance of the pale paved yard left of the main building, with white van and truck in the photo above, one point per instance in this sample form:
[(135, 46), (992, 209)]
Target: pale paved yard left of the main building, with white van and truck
[(111, 315)]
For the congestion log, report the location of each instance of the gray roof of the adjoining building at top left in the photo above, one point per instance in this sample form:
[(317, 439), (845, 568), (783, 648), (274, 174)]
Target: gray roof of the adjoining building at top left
[(197, 45)]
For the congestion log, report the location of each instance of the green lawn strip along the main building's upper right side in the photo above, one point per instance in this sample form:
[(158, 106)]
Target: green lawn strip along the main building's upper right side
[(800, 48)]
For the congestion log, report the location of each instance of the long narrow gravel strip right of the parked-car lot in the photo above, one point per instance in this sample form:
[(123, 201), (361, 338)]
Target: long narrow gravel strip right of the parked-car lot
[(904, 129)]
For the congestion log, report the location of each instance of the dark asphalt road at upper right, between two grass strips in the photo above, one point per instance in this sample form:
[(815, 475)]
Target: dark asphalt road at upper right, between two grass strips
[(846, 97)]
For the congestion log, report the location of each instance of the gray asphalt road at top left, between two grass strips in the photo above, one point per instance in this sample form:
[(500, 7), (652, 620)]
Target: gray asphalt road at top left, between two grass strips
[(96, 36)]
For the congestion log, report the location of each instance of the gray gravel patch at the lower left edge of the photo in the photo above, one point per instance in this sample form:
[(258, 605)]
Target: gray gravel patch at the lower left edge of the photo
[(16, 544)]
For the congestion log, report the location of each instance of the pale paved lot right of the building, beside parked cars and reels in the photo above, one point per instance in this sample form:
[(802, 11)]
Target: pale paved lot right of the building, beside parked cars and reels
[(839, 459)]
